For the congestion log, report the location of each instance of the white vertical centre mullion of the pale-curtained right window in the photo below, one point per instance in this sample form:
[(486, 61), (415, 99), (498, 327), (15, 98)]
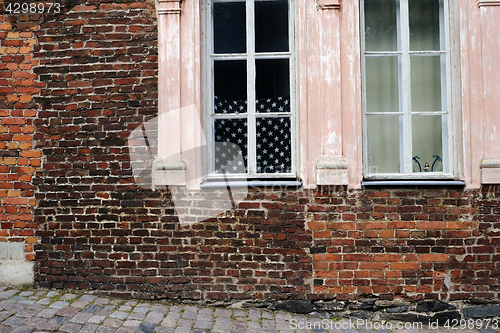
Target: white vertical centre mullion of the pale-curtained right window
[(406, 88)]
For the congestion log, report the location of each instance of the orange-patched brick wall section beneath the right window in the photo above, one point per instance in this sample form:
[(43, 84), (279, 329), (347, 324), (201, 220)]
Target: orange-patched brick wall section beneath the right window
[(421, 243)]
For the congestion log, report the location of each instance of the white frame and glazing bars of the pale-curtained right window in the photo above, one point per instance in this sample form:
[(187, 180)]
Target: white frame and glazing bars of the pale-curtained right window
[(405, 128)]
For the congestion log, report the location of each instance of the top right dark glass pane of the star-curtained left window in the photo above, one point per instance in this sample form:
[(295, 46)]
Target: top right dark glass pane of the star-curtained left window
[(271, 26)]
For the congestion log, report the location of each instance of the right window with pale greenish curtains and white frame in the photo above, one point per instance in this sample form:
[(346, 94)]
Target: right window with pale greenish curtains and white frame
[(405, 92)]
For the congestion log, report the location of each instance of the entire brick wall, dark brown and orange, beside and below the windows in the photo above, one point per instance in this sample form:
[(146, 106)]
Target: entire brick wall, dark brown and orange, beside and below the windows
[(96, 67)]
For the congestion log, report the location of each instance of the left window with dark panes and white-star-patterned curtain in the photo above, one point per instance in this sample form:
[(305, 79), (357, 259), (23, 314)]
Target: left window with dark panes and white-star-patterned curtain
[(251, 89)]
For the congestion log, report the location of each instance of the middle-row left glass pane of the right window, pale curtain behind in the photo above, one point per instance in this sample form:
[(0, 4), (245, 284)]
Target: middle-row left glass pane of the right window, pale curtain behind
[(382, 87)]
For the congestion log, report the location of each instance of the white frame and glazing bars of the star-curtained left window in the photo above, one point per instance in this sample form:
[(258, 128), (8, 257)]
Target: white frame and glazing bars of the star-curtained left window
[(250, 56)]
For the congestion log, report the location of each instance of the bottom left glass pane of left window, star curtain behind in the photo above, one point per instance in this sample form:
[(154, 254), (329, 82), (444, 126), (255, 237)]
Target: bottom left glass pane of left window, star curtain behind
[(230, 151)]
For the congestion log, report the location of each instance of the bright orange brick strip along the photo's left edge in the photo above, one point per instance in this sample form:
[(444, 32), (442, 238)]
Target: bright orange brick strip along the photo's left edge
[(18, 158)]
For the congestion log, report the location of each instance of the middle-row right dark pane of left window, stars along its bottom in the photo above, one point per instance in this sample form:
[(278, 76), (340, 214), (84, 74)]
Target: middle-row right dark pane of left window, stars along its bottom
[(272, 85)]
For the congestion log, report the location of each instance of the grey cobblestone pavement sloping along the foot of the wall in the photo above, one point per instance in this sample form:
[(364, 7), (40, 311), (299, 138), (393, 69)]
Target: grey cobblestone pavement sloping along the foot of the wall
[(31, 311)]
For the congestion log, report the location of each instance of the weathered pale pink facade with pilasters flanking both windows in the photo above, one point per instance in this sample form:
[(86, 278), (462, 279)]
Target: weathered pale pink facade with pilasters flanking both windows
[(328, 90)]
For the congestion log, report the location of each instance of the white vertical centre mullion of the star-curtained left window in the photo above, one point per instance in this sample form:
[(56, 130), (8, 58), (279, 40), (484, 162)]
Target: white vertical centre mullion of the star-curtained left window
[(251, 140)]
